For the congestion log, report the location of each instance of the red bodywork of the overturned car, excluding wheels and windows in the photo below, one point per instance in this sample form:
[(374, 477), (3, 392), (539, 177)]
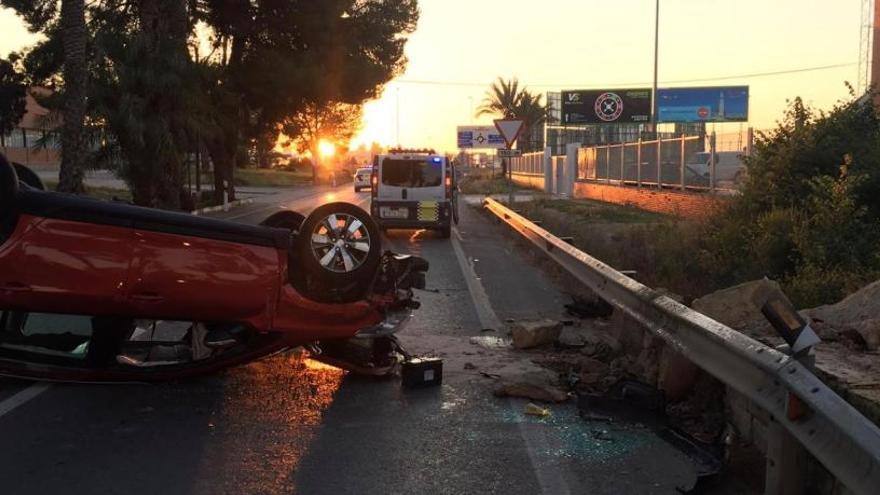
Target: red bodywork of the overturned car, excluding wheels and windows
[(64, 254)]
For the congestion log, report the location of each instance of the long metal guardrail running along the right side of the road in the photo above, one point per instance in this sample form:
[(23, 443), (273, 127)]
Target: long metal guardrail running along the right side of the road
[(834, 432)]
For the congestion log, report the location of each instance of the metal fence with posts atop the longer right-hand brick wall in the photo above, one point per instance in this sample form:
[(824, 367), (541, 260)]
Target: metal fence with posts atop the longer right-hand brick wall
[(686, 162)]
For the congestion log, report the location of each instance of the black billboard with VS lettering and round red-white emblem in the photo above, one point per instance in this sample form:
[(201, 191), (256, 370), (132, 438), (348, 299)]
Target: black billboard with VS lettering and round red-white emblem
[(621, 106)]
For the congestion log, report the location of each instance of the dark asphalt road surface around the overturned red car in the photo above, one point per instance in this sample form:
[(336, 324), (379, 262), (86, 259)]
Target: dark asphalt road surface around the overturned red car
[(289, 425)]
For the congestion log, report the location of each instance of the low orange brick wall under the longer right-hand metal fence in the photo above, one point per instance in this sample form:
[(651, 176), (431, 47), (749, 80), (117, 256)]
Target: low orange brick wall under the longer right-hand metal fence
[(689, 205)]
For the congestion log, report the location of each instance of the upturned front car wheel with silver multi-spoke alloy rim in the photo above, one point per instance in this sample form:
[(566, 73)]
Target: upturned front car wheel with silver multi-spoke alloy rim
[(339, 261)]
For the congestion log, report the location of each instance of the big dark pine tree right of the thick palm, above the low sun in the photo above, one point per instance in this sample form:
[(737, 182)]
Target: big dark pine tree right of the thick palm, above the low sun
[(278, 56)]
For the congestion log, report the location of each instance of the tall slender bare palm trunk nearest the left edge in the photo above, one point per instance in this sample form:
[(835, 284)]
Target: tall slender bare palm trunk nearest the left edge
[(73, 142)]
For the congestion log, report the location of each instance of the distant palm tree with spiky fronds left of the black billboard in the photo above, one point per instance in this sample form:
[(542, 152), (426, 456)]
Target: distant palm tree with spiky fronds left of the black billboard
[(510, 101)]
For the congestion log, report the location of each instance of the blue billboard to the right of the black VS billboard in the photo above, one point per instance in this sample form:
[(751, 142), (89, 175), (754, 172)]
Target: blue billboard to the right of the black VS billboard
[(721, 104)]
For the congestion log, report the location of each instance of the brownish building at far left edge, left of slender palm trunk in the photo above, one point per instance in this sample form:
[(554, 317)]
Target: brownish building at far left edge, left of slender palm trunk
[(30, 142)]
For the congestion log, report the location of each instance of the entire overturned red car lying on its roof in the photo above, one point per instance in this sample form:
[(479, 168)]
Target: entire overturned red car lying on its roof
[(93, 290)]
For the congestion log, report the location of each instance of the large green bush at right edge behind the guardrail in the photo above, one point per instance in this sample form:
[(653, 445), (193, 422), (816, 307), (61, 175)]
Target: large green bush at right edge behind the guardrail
[(809, 213)]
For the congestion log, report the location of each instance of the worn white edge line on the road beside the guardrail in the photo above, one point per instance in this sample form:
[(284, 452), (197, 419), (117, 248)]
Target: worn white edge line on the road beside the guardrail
[(551, 479)]
